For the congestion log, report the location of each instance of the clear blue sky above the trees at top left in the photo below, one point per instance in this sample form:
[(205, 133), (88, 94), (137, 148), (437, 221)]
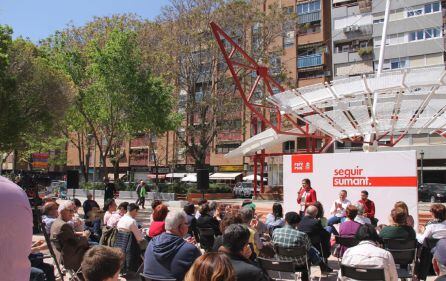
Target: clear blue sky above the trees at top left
[(37, 19)]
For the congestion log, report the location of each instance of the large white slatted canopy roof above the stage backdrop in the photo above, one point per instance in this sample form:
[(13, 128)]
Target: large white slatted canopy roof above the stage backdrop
[(407, 101)]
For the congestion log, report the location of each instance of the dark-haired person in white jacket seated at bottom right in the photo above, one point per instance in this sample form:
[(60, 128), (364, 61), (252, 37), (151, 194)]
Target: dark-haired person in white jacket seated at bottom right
[(368, 254)]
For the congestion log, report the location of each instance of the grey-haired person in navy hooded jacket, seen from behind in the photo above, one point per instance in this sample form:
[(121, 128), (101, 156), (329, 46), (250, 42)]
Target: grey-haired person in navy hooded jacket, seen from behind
[(169, 255)]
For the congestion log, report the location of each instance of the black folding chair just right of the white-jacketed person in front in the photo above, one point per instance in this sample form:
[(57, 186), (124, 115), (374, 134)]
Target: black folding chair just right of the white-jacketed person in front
[(404, 253)]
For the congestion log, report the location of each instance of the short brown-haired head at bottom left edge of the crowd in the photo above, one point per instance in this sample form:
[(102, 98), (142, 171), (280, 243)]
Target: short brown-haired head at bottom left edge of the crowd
[(102, 263)]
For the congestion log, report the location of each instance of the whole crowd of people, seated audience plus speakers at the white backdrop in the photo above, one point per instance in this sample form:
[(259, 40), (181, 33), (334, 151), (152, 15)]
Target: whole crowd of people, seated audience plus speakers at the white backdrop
[(220, 242)]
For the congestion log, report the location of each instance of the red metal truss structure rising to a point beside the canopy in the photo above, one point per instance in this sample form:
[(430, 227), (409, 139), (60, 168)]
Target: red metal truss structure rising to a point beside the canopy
[(237, 59)]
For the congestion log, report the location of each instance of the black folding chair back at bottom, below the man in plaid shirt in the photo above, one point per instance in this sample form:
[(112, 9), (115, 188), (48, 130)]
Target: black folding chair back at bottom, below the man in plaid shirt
[(278, 269)]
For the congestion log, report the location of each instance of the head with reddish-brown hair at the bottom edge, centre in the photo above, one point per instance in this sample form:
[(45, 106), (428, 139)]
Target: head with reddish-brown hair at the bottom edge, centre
[(211, 267)]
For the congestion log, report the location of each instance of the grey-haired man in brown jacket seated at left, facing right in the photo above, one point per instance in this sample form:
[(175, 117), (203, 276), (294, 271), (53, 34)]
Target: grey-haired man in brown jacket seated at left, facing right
[(72, 247)]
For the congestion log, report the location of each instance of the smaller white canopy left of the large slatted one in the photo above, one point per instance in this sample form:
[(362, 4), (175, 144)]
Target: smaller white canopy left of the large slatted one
[(261, 141)]
